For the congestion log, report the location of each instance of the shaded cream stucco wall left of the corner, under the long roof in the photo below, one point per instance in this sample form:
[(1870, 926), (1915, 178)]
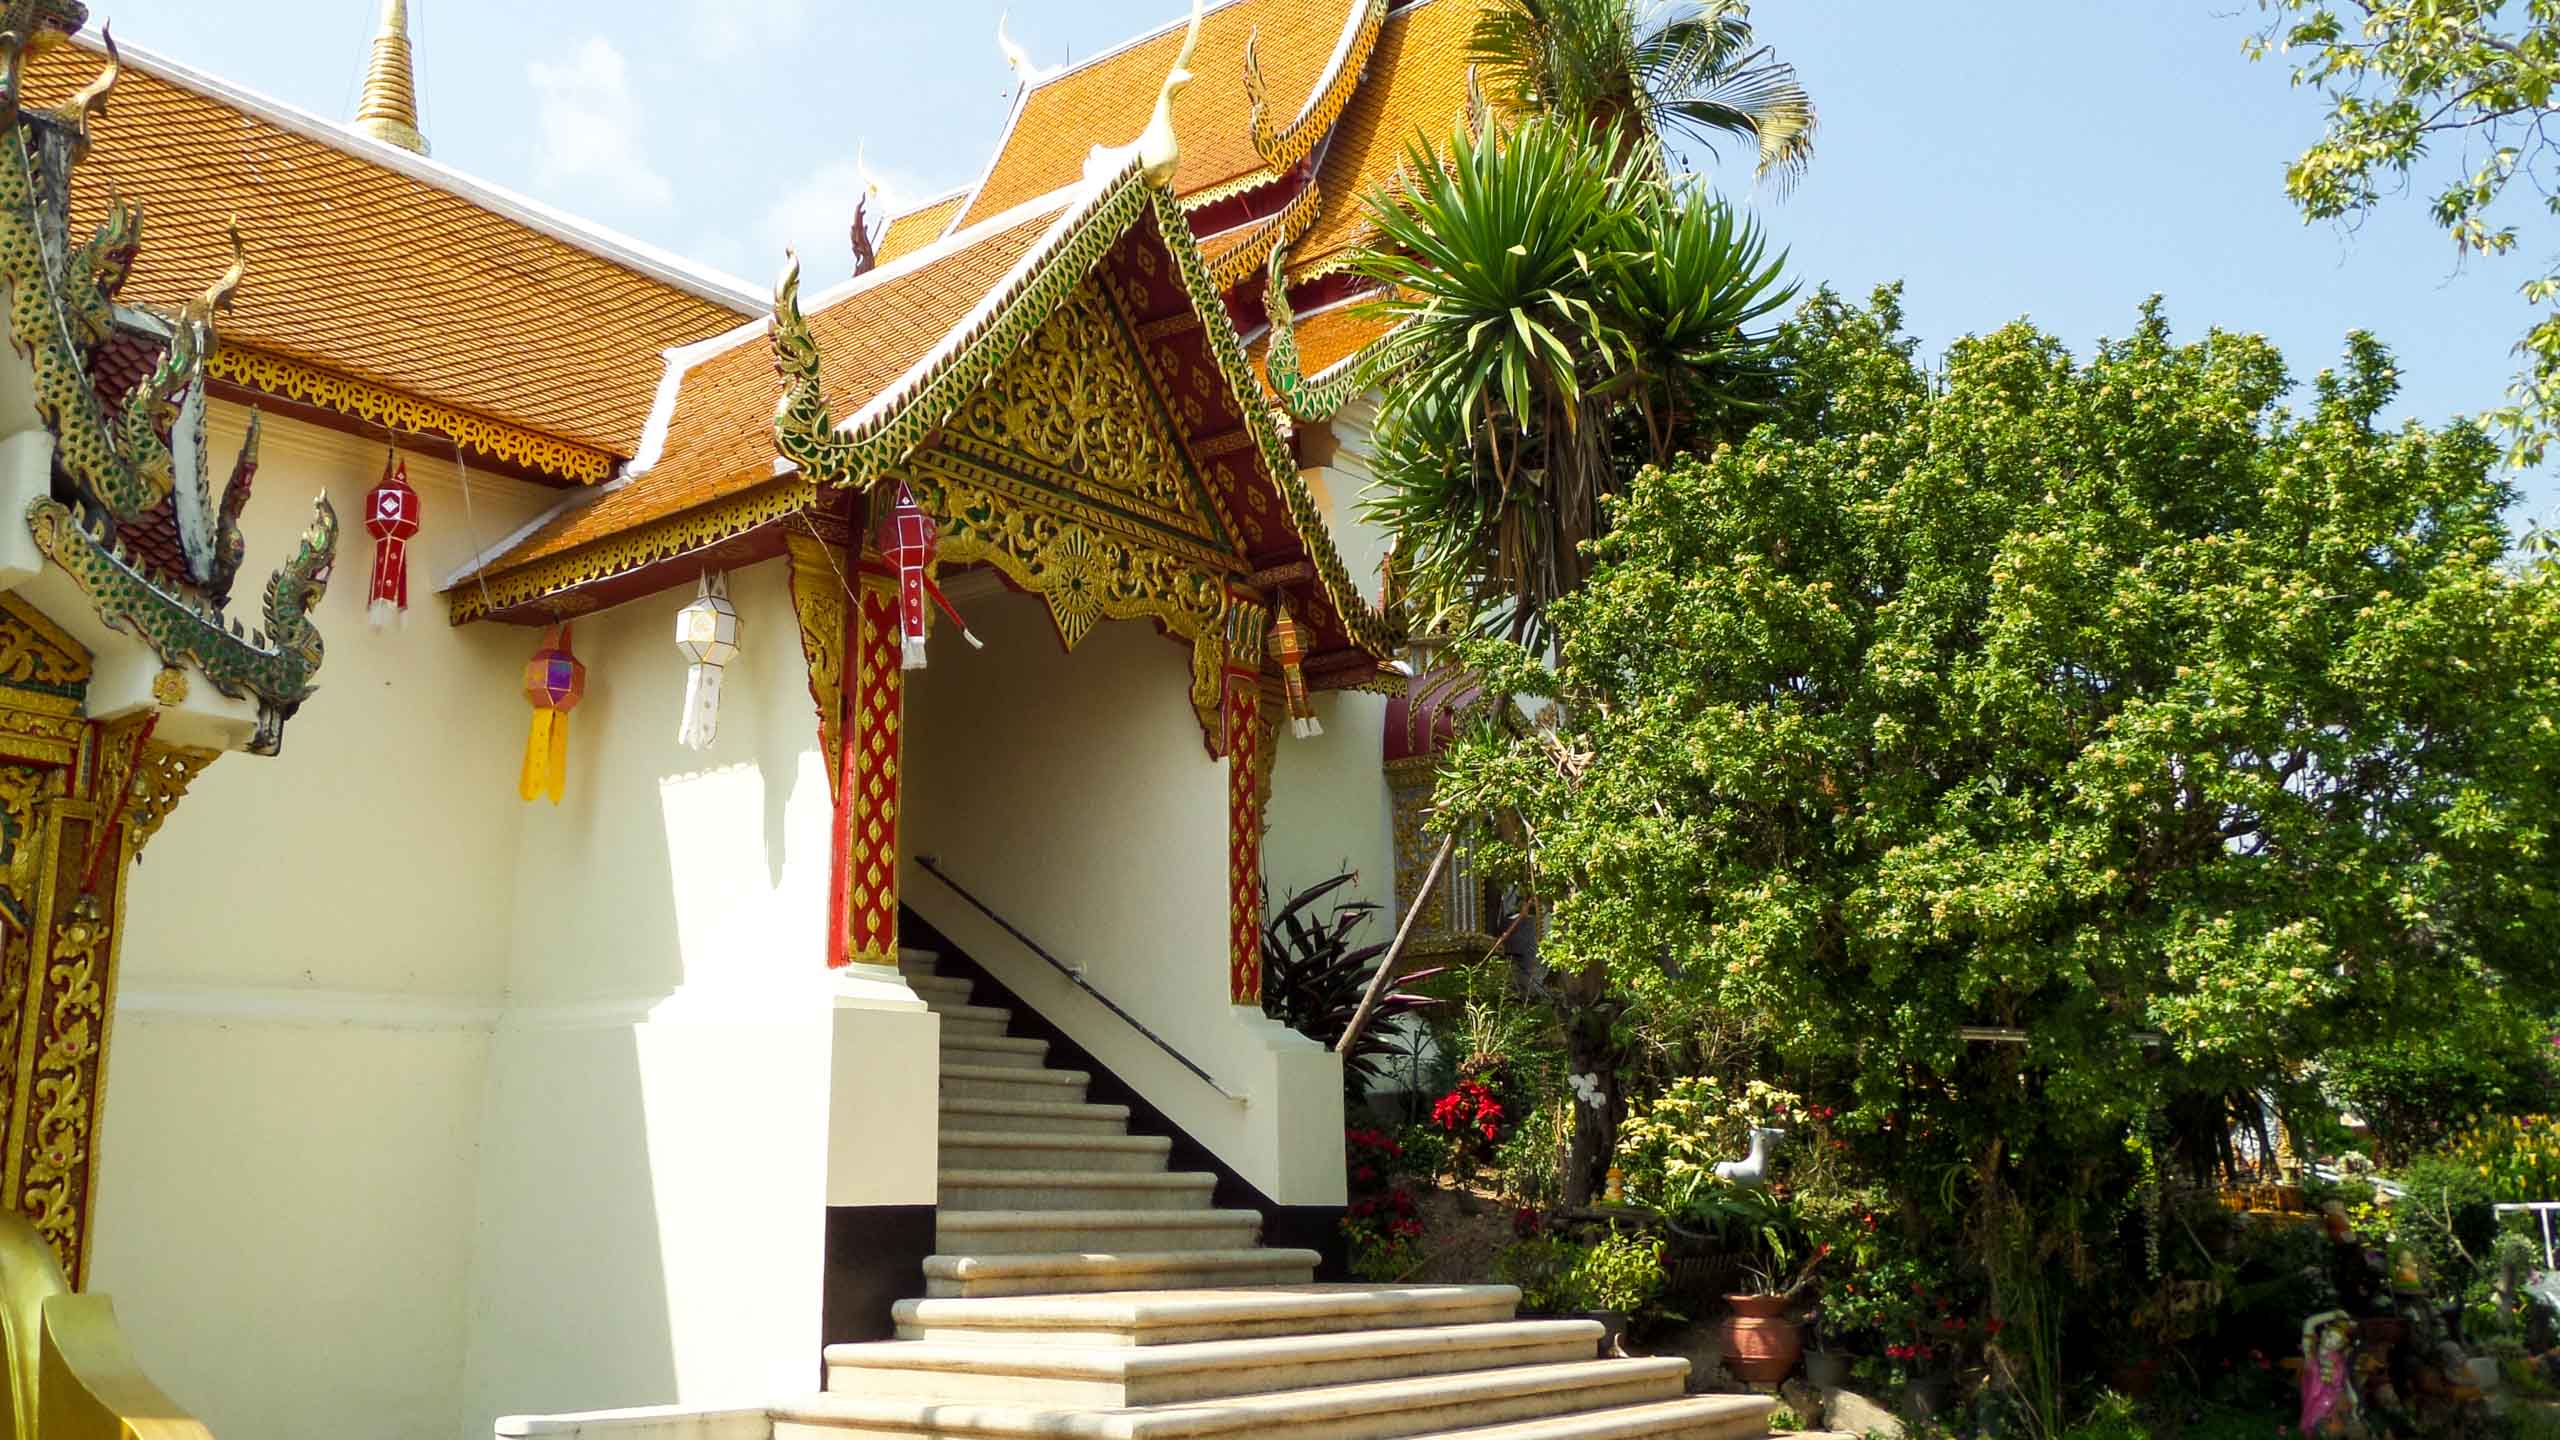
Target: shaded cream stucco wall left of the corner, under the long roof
[(314, 957)]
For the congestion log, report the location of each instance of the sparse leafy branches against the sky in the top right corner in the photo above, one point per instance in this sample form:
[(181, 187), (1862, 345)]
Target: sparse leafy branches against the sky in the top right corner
[(2469, 83)]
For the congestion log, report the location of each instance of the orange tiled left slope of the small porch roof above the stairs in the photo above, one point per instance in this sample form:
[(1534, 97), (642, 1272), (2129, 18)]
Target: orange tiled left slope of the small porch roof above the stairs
[(721, 432)]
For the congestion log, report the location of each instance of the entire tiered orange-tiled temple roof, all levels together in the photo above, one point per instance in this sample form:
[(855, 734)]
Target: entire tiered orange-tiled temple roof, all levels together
[(393, 291)]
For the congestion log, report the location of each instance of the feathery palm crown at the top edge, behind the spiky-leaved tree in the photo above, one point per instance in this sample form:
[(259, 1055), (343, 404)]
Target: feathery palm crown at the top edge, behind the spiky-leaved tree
[(1650, 70)]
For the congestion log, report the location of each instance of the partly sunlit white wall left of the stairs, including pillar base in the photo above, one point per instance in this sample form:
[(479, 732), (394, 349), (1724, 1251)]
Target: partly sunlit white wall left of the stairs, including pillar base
[(659, 1129)]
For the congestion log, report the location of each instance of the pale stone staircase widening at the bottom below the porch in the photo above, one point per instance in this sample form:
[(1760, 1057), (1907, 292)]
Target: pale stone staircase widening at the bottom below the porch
[(1089, 1293)]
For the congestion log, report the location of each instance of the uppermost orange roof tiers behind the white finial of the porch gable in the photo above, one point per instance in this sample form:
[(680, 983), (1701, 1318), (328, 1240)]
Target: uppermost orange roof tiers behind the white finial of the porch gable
[(1110, 101)]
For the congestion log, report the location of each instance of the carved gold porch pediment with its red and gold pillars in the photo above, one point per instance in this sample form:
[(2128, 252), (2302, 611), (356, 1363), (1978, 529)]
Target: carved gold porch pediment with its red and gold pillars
[(1066, 473)]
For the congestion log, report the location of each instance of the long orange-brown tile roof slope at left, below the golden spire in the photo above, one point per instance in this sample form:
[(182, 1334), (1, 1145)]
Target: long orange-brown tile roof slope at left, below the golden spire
[(362, 268)]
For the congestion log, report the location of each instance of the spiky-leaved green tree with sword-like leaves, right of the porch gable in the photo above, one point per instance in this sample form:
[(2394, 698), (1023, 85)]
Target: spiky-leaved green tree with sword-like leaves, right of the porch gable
[(1560, 324)]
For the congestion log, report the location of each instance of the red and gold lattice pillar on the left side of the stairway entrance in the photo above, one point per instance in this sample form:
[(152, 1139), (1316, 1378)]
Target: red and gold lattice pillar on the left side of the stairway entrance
[(872, 778)]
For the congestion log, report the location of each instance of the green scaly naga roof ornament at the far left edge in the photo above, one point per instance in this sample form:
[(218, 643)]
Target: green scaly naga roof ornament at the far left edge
[(142, 462)]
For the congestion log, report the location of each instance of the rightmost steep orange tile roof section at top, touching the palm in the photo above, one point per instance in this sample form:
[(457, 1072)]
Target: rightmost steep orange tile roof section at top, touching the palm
[(1417, 88)]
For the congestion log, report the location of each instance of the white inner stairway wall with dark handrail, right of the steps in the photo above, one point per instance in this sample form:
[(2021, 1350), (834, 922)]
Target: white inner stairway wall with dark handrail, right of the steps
[(1074, 796)]
